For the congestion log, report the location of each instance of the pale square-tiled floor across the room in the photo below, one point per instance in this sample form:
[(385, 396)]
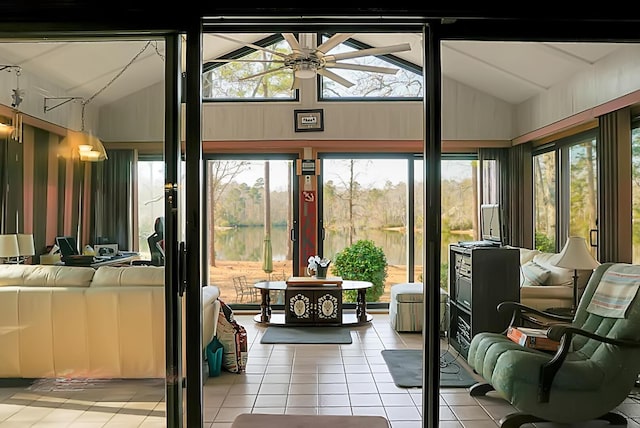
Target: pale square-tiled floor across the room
[(301, 379)]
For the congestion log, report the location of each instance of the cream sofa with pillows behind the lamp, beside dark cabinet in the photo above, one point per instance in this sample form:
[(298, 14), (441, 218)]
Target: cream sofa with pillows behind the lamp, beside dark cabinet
[(544, 285)]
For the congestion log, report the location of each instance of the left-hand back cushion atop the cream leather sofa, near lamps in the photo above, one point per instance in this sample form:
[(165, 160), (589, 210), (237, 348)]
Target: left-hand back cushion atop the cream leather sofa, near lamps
[(45, 276)]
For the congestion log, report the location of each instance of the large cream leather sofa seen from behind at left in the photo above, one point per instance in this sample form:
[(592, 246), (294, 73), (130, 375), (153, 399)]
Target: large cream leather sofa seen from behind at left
[(80, 322)]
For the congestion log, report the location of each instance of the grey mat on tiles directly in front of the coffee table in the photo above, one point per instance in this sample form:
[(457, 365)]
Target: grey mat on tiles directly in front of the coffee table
[(307, 335)]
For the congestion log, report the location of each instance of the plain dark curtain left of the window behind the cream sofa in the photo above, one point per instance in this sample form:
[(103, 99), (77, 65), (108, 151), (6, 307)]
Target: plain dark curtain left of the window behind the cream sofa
[(112, 206)]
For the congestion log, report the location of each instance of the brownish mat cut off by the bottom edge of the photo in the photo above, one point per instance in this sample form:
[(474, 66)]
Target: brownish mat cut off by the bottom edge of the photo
[(267, 420)]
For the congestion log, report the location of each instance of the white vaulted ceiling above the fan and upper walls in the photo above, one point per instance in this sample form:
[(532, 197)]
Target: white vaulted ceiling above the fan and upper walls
[(107, 70)]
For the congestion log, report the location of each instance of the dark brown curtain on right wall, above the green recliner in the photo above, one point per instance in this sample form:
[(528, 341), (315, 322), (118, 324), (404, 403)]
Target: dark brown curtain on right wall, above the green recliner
[(614, 187)]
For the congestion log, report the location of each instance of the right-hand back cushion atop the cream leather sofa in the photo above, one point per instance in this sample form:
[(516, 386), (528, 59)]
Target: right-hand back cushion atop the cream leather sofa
[(127, 276)]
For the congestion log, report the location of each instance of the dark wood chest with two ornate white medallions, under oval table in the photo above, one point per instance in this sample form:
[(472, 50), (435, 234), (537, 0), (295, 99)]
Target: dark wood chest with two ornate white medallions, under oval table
[(313, 305)]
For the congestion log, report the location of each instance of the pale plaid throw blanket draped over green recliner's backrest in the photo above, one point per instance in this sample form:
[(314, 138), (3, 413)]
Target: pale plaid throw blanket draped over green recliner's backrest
[(617, 288)]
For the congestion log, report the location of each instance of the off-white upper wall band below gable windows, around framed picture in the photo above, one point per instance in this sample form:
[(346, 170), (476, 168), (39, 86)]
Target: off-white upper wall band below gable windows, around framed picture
[(467, 115)]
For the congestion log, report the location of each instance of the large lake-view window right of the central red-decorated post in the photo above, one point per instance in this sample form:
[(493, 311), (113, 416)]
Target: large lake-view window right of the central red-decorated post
[(367, 197)]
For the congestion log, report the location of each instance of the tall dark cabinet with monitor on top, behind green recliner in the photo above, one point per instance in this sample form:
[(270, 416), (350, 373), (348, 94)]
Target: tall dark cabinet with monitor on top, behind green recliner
[(479, 279)]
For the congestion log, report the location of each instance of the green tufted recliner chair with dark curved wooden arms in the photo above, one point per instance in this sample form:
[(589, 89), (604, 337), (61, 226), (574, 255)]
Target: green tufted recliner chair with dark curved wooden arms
[(594, 369)]
